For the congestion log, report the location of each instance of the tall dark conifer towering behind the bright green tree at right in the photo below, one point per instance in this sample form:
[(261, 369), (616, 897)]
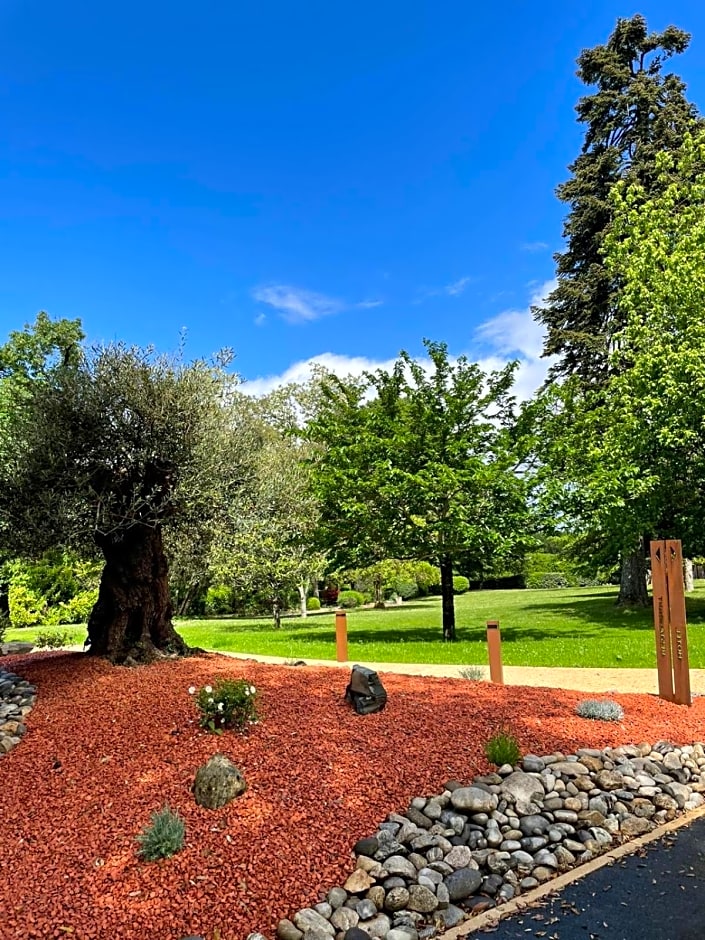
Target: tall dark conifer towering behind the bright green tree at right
[(636, 113)]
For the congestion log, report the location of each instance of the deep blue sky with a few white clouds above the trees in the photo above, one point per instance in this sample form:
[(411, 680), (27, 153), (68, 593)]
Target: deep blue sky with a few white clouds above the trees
[(295, 180)]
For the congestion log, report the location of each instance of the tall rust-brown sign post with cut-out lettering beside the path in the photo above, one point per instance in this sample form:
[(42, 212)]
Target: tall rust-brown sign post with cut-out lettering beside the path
[(669, 621)]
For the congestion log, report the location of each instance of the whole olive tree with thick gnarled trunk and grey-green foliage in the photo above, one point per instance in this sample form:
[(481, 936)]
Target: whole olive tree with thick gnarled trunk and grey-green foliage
[(113, 446)]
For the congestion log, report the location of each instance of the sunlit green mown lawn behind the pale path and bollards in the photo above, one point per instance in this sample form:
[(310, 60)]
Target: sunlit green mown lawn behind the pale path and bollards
[(570, 627)]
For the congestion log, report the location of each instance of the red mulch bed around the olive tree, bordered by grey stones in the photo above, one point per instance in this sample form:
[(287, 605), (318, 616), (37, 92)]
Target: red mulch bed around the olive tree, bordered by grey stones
[(108, 746)]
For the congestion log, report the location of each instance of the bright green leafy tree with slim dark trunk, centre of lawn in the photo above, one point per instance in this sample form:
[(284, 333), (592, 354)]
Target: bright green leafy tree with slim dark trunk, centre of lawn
[(419, 463)]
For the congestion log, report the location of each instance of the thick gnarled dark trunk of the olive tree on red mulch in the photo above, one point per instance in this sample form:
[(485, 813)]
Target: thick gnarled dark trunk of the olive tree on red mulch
[(131, 621)]
